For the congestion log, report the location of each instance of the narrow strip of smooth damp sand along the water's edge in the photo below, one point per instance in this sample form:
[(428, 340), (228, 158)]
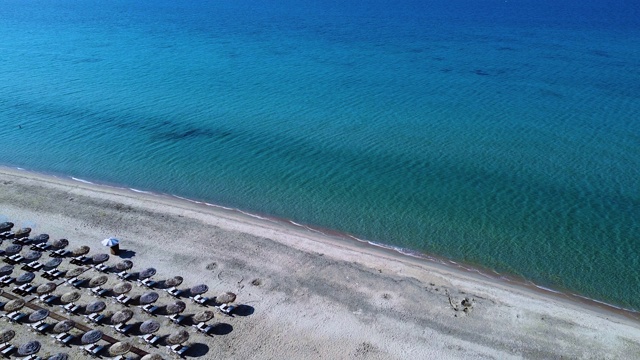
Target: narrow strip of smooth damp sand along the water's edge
[(340, 238)]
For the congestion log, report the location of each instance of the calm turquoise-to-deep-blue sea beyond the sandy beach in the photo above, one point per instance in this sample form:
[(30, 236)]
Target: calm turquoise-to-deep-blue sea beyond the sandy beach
[(499, 134)]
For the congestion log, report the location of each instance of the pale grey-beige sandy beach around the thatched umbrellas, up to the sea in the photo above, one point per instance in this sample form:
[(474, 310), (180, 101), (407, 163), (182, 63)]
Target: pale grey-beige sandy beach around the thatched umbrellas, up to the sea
[(310, 296)]
